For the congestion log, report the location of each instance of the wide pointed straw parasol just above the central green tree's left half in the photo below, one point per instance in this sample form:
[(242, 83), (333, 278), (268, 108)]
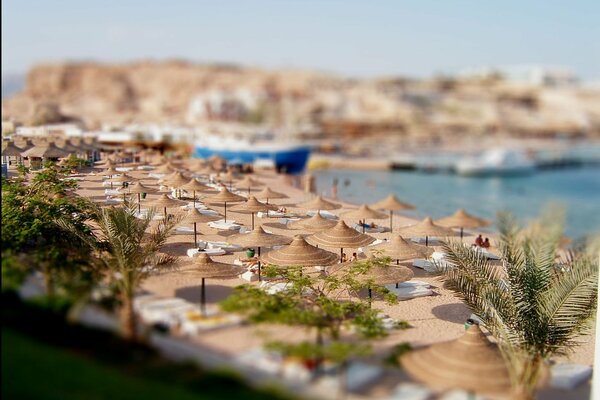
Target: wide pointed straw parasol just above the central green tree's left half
[(300, 253)]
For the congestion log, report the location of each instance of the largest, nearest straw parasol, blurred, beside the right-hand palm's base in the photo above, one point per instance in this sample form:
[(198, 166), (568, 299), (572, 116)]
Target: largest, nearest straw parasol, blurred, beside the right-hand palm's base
[(470, 362)]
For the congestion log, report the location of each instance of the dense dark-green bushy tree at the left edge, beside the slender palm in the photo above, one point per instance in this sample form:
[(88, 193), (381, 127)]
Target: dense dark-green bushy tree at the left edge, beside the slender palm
[(32, 240)]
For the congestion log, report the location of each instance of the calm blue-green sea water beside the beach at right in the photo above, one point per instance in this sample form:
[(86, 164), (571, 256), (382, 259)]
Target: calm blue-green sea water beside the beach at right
[(438, 195)]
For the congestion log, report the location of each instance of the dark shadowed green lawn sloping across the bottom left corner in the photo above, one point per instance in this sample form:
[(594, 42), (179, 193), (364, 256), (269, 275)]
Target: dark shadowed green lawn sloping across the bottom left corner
[(34, 370)]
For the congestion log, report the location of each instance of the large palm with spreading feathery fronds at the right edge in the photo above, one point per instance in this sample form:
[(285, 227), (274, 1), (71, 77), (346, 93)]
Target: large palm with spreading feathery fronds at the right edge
[(535, 303)]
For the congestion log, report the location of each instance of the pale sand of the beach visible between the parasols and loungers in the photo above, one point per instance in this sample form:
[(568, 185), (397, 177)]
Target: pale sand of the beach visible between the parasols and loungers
[(432, 319)]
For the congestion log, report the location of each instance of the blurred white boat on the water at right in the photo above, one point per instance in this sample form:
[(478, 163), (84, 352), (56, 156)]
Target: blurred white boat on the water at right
[(496, 162)]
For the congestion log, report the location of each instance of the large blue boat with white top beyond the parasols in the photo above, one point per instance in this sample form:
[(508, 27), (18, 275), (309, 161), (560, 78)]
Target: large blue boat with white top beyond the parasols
[(288, 158)]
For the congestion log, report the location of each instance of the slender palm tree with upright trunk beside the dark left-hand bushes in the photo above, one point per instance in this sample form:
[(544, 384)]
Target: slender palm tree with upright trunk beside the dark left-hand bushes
[(129, 254)]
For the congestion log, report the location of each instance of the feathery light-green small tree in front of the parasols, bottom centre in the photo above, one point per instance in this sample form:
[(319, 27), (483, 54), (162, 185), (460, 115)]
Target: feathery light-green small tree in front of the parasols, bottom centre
[(320, 302)]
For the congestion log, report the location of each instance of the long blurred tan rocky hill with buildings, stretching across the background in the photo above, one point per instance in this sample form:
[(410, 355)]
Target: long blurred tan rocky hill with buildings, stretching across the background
[(182, 92)]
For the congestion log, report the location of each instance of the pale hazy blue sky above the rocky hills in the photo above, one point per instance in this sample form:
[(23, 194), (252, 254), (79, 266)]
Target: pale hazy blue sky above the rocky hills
[(365, 38)]
